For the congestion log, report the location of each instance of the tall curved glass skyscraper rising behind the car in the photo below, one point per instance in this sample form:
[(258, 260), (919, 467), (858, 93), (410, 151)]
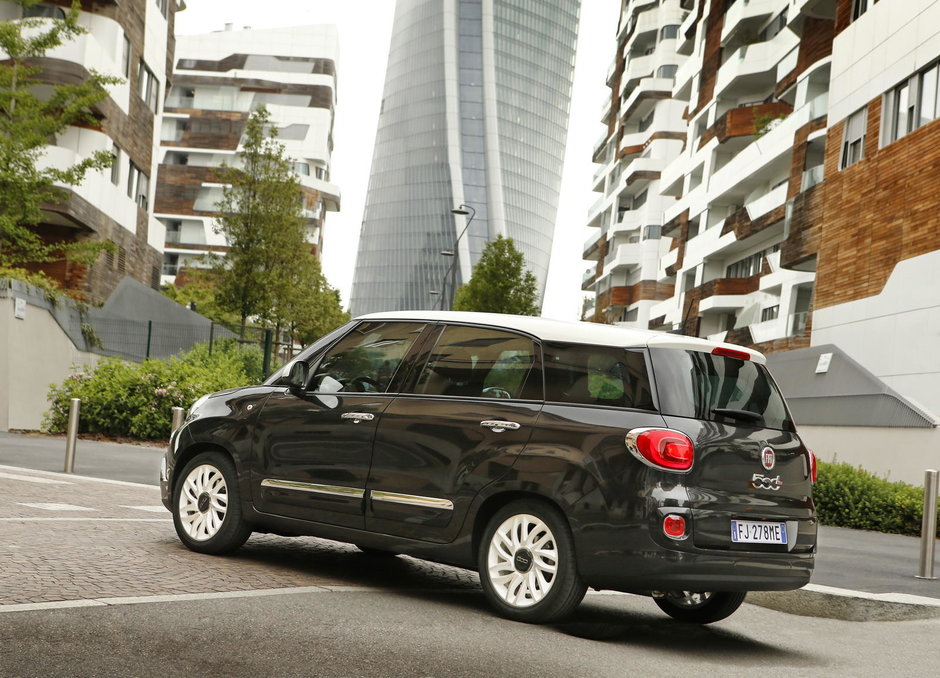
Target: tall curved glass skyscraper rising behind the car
[(474, 112)]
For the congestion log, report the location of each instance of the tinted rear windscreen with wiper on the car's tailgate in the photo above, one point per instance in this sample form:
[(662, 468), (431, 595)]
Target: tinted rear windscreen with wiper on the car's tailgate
[(718, 388)]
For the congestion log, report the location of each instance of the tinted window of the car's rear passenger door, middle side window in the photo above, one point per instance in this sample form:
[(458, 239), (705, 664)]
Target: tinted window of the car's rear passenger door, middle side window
[(480, 363)]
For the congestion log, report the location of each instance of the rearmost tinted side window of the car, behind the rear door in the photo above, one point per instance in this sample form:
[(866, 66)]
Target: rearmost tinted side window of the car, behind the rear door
[(597, 375)]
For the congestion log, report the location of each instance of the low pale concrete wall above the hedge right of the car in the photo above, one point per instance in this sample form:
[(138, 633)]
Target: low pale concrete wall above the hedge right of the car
[(894, 453)]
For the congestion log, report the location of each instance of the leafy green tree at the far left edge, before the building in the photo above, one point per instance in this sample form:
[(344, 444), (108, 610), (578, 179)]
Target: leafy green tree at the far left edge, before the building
[(32, 112)]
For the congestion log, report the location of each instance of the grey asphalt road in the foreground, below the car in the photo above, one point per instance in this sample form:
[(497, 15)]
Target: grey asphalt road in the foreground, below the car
[(415, 633)]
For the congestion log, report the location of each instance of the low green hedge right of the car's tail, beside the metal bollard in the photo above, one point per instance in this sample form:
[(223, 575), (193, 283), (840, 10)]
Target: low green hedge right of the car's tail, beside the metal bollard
[(847, 496)]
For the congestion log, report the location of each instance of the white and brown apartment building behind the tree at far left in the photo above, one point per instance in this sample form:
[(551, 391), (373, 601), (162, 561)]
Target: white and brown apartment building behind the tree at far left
[(132, 39)]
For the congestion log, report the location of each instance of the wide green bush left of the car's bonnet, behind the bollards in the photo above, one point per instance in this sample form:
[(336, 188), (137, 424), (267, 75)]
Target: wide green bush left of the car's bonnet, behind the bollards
[(136, 401)]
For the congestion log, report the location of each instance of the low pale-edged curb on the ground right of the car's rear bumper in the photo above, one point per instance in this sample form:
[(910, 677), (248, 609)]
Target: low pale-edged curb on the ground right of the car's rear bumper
[(832, 603)]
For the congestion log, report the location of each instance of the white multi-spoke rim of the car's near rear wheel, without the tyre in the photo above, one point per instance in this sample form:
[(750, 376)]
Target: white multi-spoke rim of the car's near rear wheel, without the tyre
[(522, 561)]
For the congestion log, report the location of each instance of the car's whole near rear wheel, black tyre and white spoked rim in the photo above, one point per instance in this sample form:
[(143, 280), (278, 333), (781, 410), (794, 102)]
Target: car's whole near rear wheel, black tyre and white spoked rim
[(527, 563)]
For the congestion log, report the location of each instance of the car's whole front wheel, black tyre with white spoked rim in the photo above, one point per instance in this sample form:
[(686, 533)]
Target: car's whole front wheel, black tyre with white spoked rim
[(207, 513)]
